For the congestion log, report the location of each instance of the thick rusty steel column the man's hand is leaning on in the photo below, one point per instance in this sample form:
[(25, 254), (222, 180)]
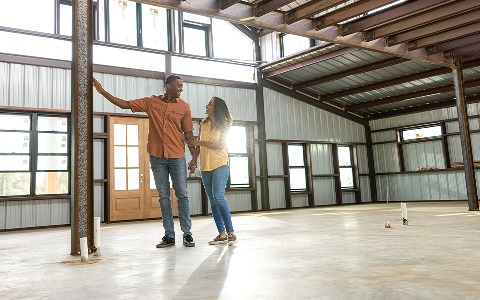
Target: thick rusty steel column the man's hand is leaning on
[(82, 126)]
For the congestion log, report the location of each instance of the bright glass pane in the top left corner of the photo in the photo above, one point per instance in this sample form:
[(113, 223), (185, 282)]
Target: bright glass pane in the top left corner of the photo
[(29, 14)]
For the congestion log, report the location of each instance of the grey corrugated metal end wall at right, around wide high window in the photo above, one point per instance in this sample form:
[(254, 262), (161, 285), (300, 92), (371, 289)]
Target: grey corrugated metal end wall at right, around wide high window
[(447, 185)]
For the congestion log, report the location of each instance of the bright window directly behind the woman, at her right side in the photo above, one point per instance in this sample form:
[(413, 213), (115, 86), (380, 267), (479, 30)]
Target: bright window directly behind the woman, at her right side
[(238, 157)]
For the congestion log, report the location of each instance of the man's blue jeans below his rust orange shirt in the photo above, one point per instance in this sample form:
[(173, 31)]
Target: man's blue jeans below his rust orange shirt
[(177, 169)]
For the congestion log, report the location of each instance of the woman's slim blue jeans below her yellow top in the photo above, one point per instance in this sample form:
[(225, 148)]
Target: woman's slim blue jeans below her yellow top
[(215, 182)]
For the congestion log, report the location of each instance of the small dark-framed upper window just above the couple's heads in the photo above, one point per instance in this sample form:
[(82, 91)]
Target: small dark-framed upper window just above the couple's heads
[(196, 34)]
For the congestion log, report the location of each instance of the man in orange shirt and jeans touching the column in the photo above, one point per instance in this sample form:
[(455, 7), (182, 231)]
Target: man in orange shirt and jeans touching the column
[(170, 124)]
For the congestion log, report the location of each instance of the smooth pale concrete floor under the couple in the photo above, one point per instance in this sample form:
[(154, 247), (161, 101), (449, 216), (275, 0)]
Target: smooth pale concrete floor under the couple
[(322, 253)]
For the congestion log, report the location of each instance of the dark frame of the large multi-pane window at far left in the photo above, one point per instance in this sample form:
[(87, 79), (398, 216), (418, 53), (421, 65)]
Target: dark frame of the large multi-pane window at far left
[(34, 154)]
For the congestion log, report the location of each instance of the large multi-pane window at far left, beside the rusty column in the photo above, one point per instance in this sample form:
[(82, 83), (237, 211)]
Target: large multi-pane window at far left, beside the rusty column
[(36, 159)]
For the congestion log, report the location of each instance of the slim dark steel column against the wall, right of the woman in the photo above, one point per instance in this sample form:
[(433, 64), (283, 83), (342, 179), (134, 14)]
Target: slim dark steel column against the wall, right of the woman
[(262, 136)]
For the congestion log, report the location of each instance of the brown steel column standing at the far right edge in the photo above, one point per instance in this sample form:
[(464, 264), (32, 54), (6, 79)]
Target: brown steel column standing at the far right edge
[(465, 137)]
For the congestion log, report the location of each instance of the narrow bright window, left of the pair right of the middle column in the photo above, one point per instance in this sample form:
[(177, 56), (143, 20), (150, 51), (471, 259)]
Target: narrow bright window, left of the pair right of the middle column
[(296, 165)]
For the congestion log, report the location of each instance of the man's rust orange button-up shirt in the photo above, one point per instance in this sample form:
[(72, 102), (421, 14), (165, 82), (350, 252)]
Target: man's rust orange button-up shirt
[(168, 121)]
